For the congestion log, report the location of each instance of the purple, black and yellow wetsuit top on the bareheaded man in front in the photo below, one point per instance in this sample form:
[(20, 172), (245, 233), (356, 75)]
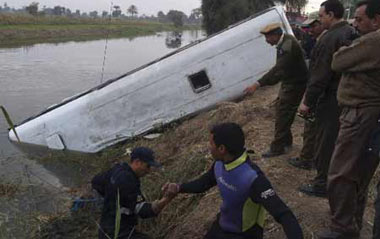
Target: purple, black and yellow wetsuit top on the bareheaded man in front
[(246, 194)]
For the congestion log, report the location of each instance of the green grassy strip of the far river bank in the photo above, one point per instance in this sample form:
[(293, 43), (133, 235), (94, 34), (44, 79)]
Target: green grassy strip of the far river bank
[(23, 29)]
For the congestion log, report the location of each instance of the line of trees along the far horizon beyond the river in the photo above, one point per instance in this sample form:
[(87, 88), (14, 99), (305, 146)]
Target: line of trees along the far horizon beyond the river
[(215, 15)]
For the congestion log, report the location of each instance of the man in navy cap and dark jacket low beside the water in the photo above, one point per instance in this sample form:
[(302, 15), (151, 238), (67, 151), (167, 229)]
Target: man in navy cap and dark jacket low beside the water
[(121, 185)]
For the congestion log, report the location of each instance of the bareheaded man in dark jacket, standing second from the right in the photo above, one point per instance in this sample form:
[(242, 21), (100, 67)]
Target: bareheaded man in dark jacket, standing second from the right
[(321, 91)]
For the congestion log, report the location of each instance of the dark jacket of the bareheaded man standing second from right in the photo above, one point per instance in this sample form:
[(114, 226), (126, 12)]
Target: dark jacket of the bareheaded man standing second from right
[(323, 80)]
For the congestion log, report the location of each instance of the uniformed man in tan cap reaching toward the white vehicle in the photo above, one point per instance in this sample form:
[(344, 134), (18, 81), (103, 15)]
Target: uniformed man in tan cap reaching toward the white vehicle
[(292, 72)]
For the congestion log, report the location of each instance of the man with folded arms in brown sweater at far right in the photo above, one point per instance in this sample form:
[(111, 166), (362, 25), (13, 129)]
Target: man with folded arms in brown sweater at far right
[(354, 161)]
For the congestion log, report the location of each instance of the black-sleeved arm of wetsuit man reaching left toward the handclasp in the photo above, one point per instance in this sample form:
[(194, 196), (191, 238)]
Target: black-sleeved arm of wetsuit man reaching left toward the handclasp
[(200, 185)]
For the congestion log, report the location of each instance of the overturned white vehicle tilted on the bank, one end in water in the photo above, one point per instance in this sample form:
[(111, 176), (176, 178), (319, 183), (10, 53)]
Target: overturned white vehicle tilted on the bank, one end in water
[(182, 83)]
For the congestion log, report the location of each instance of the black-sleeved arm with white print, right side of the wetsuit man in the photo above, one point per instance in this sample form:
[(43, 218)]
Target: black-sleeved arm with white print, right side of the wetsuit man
[(263, 193)]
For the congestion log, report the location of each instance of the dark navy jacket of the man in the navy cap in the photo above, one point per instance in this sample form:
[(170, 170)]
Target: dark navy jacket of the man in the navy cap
[(120, 180)]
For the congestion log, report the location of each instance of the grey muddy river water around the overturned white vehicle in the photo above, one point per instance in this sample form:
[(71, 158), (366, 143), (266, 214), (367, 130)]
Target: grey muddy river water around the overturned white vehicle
[(35, 77)]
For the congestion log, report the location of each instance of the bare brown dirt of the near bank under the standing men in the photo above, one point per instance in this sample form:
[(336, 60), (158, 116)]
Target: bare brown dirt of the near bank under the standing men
[(256, 115)]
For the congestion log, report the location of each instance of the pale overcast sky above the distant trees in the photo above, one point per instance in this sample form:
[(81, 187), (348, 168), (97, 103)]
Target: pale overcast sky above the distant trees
[(147, 7)]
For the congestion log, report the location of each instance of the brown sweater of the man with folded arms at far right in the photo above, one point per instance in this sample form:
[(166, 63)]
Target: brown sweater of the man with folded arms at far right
[(360, 65)]
